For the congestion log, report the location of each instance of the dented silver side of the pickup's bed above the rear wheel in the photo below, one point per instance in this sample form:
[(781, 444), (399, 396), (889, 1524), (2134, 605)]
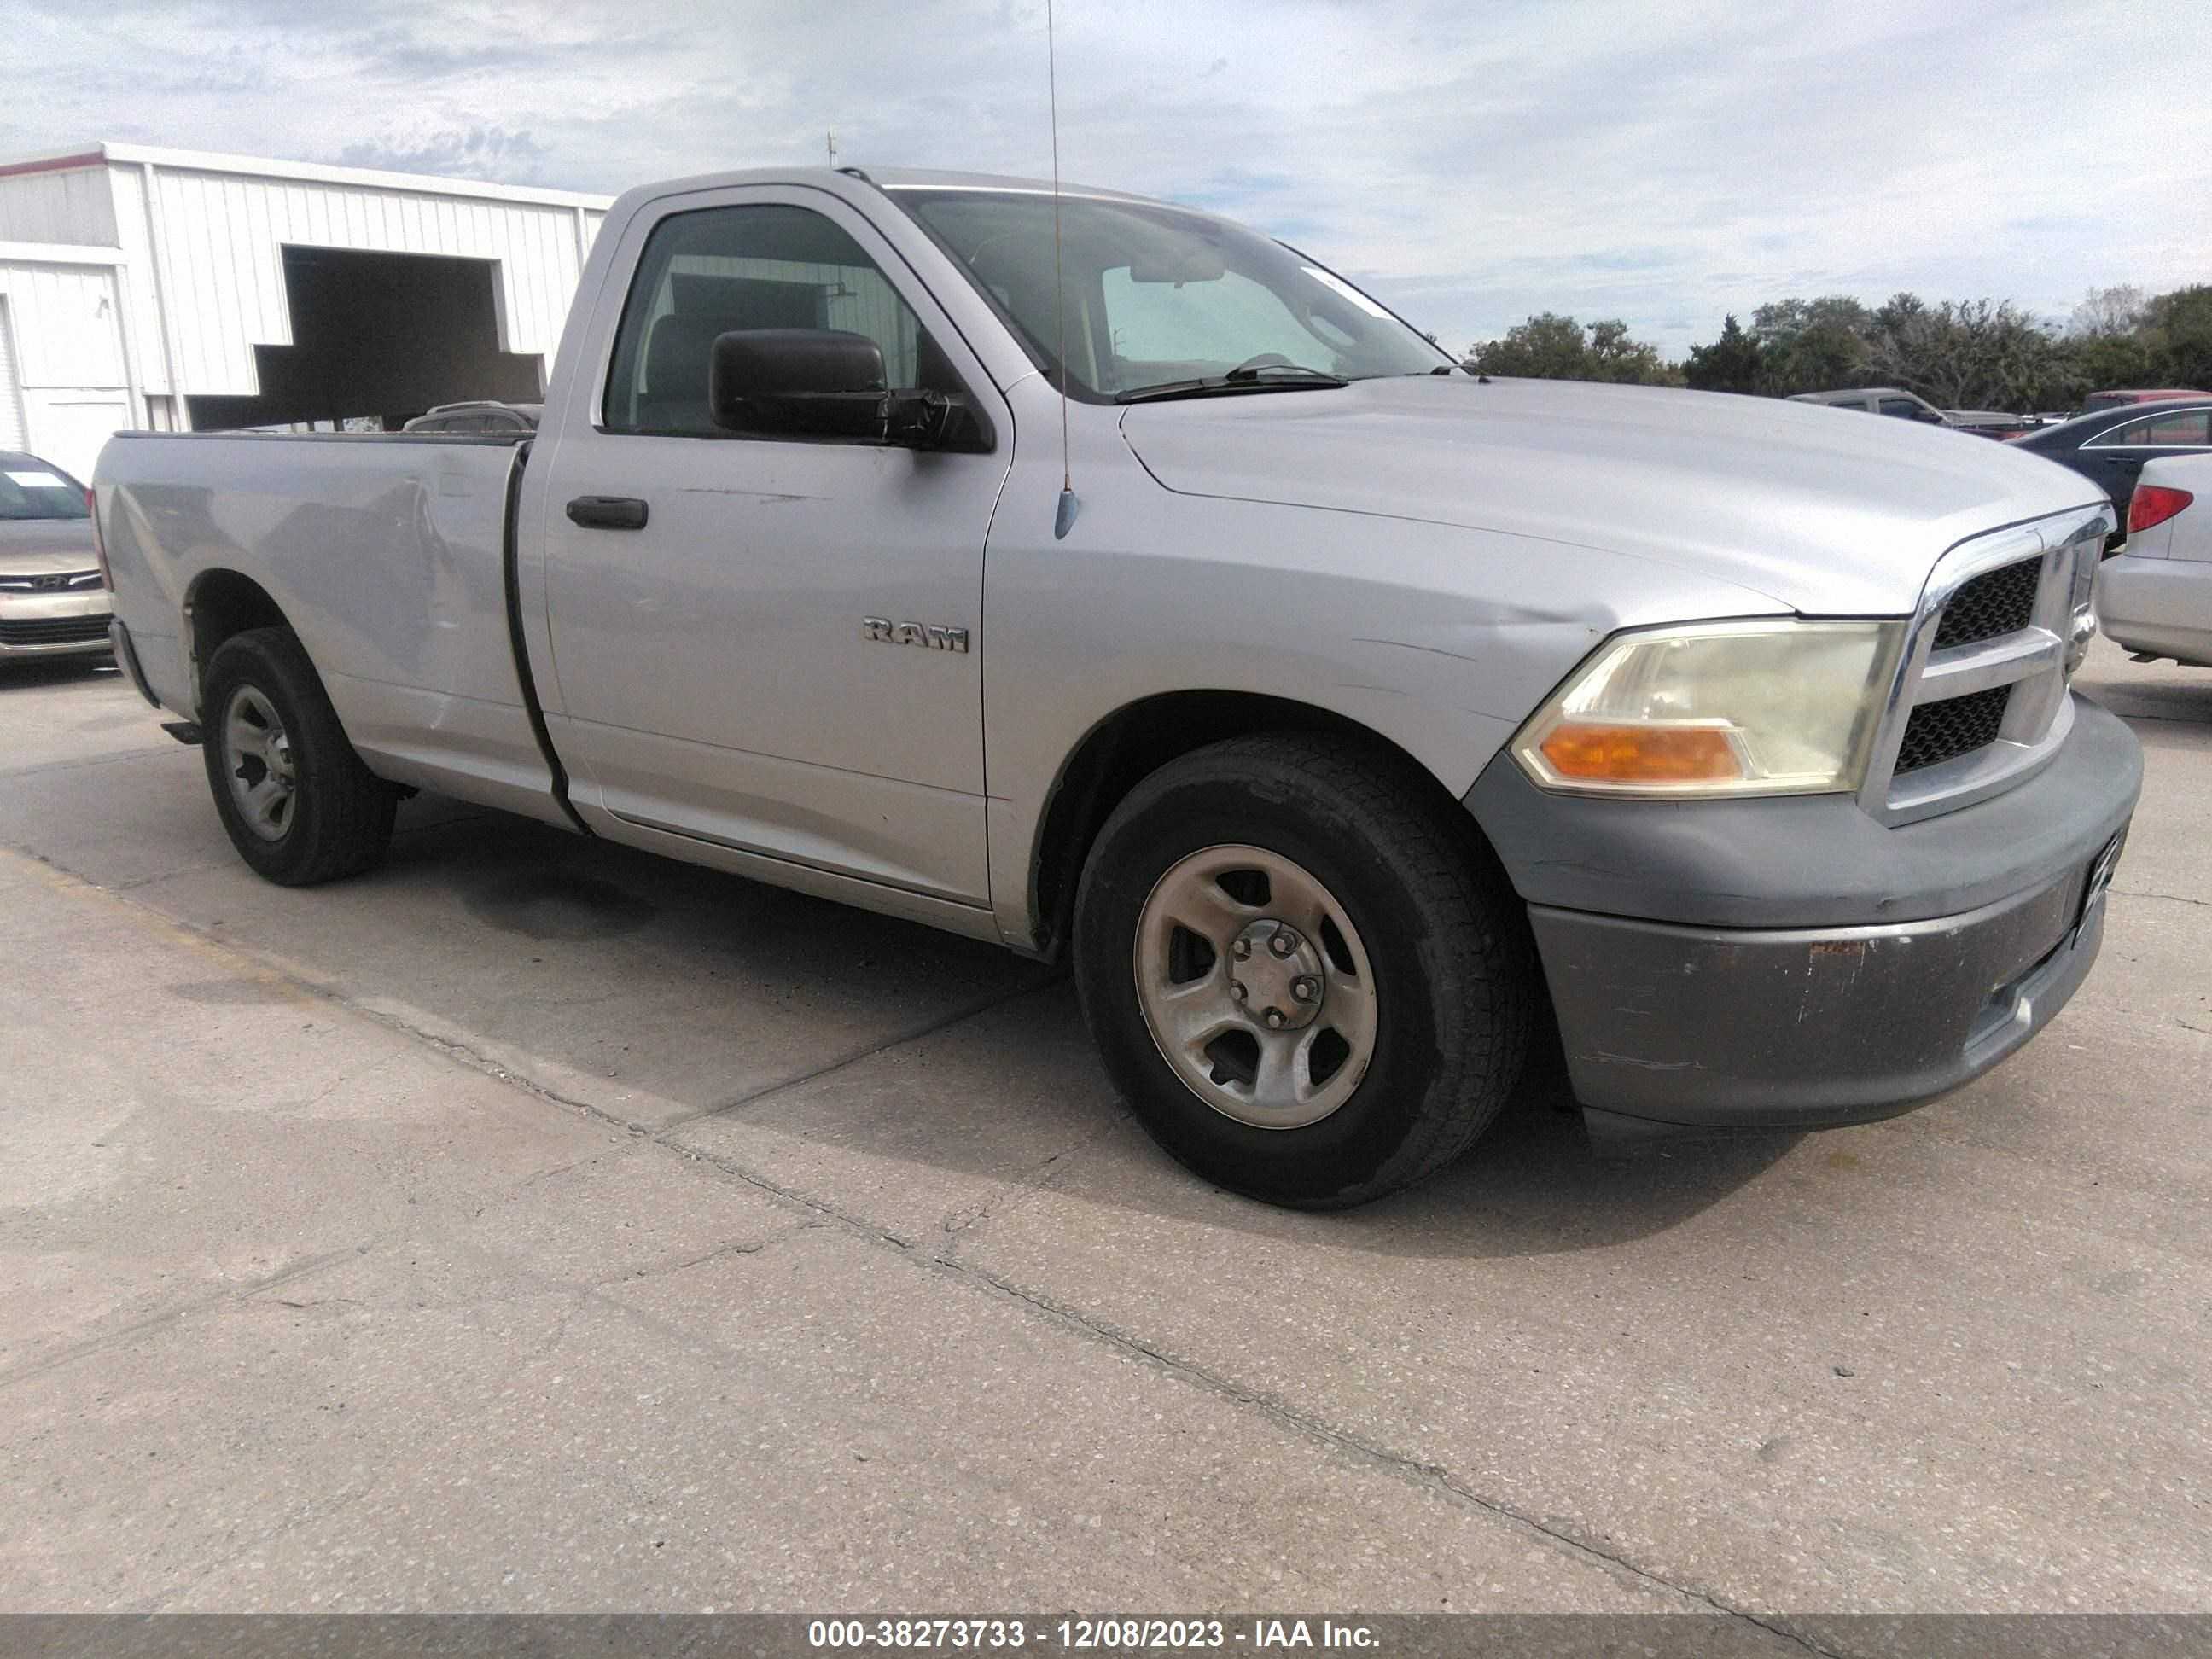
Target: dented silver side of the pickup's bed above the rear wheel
[(390, 554)]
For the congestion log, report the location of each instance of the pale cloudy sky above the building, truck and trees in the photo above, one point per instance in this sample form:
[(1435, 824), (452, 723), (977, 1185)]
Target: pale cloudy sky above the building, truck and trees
[(1472, 163)]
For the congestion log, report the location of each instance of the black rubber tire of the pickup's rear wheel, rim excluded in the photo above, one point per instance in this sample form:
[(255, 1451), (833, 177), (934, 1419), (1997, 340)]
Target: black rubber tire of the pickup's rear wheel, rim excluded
[(340, 815)]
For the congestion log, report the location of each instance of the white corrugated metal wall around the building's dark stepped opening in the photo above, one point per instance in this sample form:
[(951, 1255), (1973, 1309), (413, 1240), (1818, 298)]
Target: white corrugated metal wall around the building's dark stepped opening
[(222, 275)]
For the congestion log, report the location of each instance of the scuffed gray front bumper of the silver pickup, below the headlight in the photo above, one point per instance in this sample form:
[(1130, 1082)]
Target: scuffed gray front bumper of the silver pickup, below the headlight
[(1793, 963)]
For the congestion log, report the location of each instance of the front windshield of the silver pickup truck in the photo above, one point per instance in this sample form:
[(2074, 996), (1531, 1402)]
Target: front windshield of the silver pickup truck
[(1160, 298)]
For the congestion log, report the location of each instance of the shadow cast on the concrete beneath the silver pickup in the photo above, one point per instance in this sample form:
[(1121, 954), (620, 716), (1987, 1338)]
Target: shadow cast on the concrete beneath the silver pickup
[(795, 1030)]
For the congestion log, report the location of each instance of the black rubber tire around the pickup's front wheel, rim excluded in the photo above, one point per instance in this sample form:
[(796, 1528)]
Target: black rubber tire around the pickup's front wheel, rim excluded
[(1448, 939)]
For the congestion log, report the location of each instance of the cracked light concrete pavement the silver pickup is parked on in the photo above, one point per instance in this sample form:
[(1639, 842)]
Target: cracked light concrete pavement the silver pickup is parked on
[(536, 1224)]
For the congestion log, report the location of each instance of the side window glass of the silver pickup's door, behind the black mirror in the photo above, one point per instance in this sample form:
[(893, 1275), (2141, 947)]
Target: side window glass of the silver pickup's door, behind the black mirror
[(729, 269)]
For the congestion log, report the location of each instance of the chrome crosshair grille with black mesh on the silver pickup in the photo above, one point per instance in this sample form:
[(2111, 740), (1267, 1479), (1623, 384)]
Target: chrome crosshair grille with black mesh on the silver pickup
[(1979, 700)]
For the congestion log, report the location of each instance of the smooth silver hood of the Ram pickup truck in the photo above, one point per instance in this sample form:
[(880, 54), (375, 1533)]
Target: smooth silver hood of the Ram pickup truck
[(1828, 512)]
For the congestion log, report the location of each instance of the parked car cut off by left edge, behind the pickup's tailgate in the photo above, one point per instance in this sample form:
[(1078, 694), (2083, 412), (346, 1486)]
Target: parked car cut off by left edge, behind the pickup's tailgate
[(54, 603)]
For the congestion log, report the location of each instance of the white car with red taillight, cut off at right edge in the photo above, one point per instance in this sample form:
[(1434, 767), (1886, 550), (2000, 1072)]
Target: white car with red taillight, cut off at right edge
[(2156, 596)]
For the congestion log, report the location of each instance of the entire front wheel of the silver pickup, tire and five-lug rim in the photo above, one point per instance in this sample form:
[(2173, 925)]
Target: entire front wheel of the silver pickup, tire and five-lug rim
[(1311, 983)]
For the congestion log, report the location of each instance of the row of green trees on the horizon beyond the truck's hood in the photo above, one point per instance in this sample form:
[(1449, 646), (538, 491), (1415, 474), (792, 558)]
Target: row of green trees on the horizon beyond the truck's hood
[(1959, 355)]
